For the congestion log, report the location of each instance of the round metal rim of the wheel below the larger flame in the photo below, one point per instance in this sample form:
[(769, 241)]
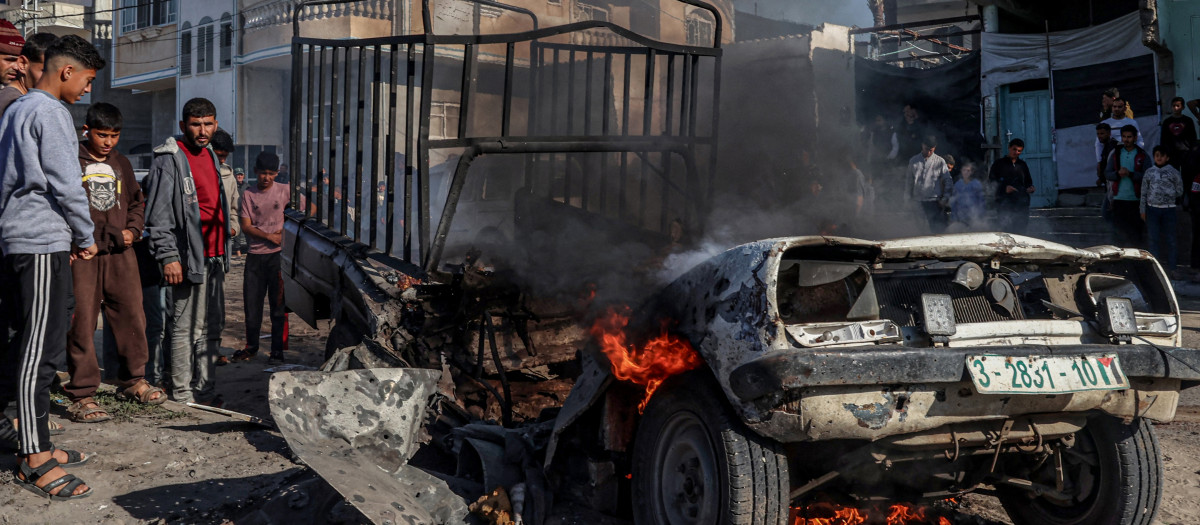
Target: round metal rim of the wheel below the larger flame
[(685, 481)]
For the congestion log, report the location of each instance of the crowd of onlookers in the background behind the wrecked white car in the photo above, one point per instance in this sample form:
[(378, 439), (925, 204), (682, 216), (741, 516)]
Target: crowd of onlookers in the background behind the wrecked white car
[(1143, 191)]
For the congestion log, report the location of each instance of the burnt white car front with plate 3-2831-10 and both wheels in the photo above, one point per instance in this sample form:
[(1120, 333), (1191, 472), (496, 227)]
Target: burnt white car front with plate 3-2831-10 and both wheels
[(921, 369)]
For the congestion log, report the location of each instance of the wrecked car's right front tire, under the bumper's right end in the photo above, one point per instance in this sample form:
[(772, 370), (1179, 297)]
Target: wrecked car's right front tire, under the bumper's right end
[(1124, 488)]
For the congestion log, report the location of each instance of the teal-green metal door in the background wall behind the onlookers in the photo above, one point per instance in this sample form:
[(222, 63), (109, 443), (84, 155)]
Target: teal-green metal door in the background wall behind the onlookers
[(1028, 117)]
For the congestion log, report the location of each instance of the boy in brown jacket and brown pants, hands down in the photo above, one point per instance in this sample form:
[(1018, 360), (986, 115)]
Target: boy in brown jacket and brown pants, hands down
[(111, 279)]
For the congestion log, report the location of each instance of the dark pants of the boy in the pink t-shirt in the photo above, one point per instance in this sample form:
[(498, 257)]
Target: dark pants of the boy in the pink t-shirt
[(262, 277)]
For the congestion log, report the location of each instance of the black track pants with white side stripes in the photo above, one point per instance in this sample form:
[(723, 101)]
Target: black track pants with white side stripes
[(39, 301)]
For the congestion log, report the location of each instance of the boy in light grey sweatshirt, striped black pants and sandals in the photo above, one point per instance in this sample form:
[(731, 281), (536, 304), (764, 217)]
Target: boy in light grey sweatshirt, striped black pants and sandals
[(45, 225)]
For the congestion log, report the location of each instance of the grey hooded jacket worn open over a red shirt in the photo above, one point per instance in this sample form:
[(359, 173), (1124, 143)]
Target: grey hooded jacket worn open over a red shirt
[(173, 212)]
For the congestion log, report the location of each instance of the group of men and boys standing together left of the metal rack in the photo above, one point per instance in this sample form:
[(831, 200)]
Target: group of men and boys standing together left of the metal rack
[(81, 237)]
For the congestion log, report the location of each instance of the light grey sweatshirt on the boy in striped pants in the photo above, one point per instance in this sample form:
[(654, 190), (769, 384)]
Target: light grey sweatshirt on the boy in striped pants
[(44, 208)]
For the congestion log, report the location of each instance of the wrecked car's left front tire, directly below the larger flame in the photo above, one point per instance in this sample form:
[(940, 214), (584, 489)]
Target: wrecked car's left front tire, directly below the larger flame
[(697, 464)]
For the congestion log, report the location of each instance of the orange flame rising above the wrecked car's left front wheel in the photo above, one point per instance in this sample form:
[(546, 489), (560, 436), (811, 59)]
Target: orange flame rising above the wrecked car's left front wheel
[(659, 359)]
